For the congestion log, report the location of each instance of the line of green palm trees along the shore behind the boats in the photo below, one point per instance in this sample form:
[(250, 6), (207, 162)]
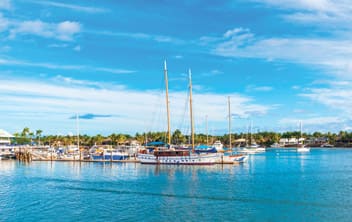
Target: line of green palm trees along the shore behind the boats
[(26, 136)]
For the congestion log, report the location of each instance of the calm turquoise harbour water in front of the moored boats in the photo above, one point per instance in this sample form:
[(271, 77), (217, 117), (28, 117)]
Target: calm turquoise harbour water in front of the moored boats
[(273, 186)]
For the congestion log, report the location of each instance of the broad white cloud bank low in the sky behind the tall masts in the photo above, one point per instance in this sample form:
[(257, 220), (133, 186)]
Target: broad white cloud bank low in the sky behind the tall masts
[(26, 101)]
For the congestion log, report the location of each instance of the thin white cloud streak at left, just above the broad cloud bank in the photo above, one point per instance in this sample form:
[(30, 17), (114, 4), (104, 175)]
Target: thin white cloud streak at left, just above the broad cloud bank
[(64, 67)]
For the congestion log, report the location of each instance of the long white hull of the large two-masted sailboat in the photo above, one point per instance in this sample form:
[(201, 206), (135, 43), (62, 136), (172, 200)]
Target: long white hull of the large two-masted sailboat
[(193, 159)]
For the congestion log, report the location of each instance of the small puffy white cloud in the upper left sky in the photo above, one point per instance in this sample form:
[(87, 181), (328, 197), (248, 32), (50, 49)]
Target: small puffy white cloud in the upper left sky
[(64, 31)]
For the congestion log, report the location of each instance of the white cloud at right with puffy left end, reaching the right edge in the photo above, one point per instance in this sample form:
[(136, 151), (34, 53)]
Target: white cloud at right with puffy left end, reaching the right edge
[(329, 55)]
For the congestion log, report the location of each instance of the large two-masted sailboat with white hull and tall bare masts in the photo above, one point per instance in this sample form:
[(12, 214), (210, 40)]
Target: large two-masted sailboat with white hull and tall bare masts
[(178, 156)]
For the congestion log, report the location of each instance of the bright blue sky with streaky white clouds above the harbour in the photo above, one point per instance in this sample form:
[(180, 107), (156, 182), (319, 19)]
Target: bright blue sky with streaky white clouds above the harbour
[(280, 61)]
